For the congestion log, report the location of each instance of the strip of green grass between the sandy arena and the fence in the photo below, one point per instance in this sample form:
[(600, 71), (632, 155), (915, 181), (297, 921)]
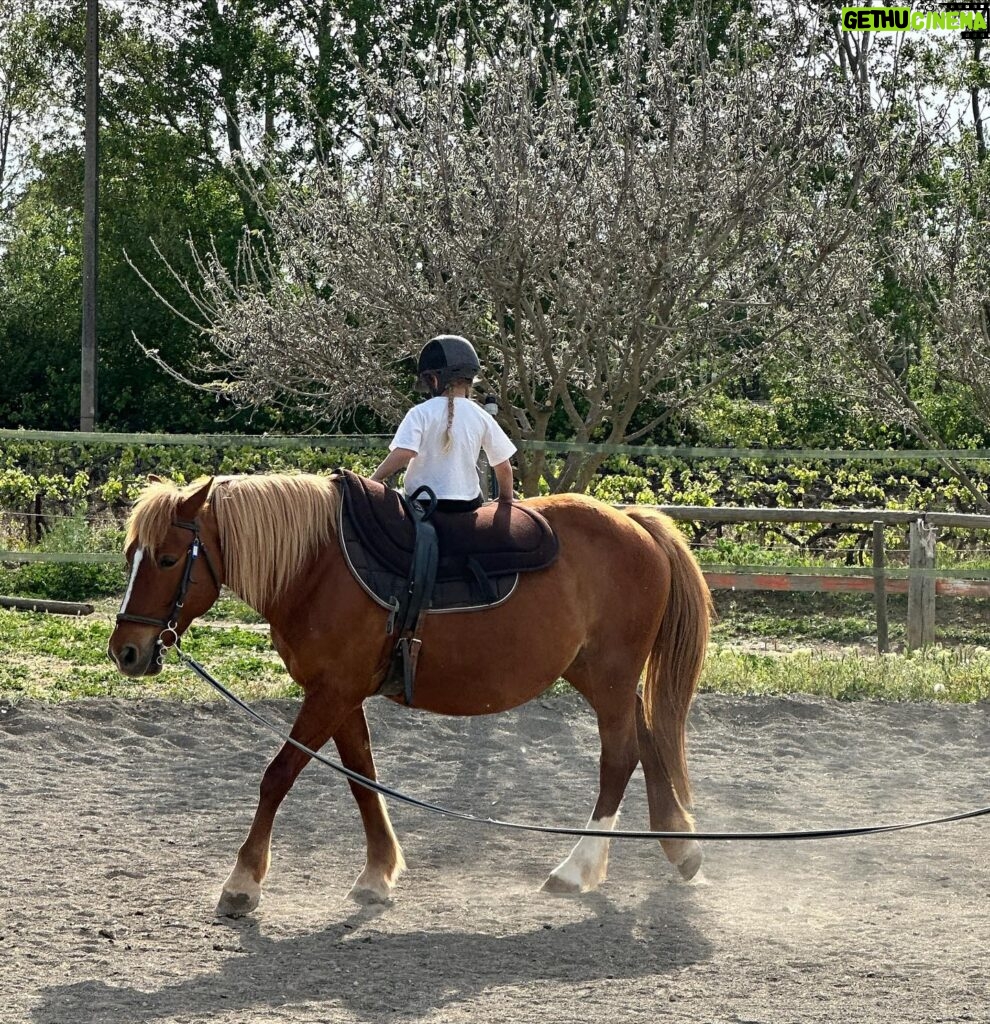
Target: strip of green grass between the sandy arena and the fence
[(55, 659)]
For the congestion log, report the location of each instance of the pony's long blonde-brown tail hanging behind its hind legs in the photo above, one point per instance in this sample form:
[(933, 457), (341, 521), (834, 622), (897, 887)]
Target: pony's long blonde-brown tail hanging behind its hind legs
[(678, 655)]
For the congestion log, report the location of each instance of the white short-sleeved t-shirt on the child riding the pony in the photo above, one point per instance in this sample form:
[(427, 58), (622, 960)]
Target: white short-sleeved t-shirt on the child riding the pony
[(452, 475)]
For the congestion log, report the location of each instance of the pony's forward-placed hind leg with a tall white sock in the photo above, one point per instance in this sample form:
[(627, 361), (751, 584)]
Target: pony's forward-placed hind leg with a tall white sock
[(587, 865)]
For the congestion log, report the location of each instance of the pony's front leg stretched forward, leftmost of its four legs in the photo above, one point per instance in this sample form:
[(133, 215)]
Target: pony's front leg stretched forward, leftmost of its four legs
[(242, 891)]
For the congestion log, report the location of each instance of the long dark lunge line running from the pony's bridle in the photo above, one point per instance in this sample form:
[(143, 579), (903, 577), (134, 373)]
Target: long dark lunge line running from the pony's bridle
[(385, 791)]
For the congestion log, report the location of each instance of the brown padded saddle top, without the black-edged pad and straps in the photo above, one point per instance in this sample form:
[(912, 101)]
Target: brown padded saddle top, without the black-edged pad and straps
[(502, 539)]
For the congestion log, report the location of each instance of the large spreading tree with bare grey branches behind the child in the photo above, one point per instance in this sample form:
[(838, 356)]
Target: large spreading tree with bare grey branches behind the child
[(610, 228)]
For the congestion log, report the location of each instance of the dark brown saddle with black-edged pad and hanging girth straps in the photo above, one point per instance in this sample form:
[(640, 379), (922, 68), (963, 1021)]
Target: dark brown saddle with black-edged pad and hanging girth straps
[(413, 560)]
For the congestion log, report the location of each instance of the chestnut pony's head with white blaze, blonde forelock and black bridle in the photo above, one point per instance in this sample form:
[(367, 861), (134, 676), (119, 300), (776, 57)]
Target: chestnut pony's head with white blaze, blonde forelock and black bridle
[(176, 574)]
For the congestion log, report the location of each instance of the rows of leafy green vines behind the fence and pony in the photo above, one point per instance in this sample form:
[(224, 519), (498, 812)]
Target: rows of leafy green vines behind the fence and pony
[(84, 493)]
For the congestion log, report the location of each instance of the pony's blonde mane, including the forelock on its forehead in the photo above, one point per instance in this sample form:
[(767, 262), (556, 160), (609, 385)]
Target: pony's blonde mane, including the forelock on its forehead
[(270, 527)]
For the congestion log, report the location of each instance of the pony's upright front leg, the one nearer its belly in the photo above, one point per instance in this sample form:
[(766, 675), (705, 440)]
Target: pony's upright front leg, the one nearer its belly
[(385, 863)]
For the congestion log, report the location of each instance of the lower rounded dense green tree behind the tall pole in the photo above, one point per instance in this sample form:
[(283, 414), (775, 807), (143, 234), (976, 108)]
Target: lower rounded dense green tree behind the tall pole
[(151, 189)]
